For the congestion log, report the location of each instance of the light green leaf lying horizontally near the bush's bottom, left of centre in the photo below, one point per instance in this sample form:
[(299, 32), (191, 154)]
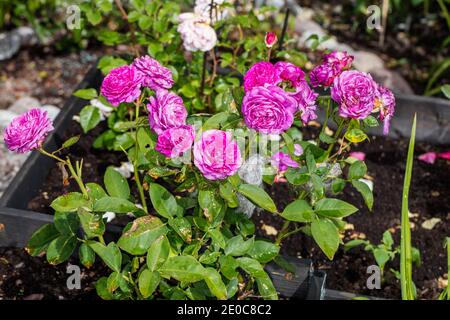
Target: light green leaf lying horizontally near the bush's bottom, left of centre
[(183, 268)]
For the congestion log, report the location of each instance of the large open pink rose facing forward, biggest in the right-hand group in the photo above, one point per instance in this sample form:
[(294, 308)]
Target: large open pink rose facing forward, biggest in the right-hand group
[(355, 93)]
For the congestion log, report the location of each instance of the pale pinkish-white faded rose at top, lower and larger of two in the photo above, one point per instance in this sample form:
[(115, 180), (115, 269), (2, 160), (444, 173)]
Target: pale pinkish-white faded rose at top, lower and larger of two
[(196, 32)]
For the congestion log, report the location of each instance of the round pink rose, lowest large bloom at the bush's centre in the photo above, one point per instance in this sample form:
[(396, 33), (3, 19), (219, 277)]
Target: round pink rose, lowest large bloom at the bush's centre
[(217, 155)]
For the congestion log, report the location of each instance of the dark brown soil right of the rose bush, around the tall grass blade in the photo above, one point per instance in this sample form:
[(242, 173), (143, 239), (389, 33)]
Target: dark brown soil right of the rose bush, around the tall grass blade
[(428, 198)]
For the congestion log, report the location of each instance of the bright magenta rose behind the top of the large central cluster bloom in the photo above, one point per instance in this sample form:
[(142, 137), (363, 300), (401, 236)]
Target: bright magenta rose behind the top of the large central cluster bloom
[(259, 74)]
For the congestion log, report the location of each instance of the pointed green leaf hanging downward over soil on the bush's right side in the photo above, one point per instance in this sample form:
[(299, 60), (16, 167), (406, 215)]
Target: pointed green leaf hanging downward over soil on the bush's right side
[(326, 235)]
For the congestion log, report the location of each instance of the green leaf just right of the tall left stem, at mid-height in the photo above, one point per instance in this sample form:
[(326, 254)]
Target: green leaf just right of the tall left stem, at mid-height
[(164, 202)]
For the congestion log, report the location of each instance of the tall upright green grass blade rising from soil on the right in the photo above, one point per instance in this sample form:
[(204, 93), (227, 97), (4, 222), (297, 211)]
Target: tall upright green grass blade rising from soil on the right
[(407, 284)]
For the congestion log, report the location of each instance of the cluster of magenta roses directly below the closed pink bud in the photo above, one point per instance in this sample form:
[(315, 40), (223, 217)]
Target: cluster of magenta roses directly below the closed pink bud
[(274, 94)]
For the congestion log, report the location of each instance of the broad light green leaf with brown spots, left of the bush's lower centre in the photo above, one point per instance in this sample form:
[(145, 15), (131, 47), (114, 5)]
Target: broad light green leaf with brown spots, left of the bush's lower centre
[(142, 233)]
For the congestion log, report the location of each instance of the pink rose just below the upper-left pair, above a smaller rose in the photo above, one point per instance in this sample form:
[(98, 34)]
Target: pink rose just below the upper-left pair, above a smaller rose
[(166, 110)]
